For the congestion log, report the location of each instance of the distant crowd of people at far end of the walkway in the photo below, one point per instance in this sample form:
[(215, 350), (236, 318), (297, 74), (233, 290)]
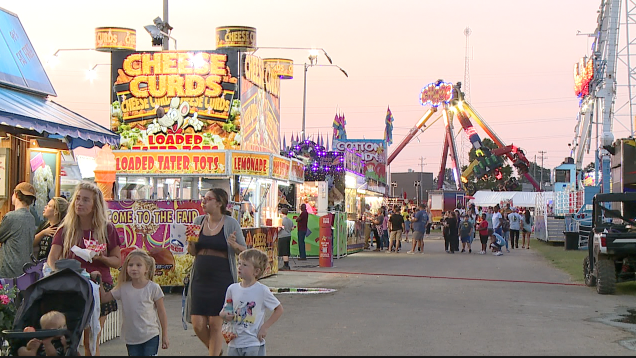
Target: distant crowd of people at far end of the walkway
[(495, 227)]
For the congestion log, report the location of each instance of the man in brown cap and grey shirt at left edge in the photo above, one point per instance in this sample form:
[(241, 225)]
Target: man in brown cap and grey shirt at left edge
[(17, 231)]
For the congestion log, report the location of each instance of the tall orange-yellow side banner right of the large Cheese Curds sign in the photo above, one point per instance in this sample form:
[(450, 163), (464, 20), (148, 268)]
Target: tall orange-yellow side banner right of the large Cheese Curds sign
[(260, 107)]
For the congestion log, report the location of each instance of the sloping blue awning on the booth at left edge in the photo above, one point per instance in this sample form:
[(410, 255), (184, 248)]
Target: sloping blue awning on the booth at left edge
[(19, 109)]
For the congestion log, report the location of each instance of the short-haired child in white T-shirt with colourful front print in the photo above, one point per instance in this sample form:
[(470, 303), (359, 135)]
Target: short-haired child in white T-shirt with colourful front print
[(246, 303)]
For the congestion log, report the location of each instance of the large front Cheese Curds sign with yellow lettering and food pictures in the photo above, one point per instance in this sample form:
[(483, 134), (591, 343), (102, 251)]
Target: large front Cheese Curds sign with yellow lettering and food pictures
[(159, 97)]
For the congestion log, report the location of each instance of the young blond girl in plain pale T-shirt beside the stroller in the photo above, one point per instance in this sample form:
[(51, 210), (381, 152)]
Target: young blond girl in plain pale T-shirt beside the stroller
[(142, 301)]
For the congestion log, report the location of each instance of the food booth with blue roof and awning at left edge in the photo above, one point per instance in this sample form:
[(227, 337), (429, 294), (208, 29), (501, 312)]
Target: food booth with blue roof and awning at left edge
[(37, 135)]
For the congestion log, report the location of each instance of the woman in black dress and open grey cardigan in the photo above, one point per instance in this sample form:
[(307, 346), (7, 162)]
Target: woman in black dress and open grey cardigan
[(214, 267)]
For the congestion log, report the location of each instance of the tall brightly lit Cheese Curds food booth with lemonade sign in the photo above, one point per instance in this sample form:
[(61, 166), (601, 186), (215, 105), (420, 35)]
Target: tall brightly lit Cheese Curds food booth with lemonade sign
[(190, 121)]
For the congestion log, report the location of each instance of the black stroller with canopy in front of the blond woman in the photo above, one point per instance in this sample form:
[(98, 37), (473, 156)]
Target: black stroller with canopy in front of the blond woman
[(66, 291)]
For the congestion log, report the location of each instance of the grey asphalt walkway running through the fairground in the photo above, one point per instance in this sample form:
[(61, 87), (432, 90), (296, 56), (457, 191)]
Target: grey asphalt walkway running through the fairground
[(431, 304)]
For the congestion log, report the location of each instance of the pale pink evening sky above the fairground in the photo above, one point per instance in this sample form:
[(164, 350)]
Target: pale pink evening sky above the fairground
[(521, 55)]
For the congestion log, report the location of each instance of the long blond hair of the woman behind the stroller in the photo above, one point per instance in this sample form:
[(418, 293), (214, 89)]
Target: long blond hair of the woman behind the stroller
[(72, 230)]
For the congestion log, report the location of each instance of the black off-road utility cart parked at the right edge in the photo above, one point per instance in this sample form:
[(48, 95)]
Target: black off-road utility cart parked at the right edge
[(612, 249)]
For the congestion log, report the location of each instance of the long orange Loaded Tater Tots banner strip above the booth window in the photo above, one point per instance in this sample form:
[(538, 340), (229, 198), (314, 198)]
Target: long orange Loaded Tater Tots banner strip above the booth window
[(184, 163)]
